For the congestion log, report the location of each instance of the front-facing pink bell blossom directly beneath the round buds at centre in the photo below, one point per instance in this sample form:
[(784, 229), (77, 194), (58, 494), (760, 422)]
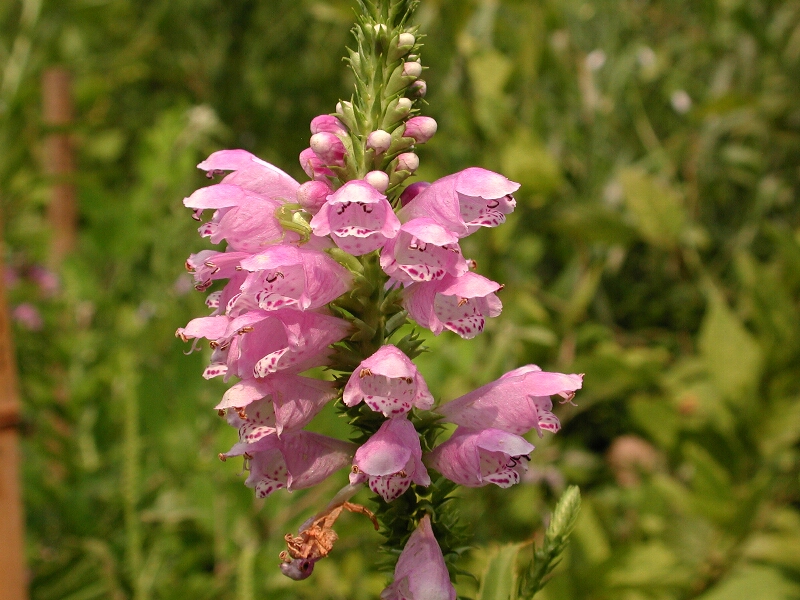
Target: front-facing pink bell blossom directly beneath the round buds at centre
[(358, 218)]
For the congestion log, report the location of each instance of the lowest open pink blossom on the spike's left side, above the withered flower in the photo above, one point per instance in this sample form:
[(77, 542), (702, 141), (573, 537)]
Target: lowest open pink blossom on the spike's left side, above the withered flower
[(295, 461)]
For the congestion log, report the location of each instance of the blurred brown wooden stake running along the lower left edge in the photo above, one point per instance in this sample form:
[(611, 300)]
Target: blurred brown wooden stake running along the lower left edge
[(13, 575)]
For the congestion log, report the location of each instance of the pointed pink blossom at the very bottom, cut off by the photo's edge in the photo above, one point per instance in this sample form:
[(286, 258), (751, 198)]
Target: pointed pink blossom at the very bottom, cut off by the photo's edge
[(421, 573)]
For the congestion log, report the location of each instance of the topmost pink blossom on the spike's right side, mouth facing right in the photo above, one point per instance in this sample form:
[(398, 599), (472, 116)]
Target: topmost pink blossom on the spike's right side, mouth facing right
[(465, 201)]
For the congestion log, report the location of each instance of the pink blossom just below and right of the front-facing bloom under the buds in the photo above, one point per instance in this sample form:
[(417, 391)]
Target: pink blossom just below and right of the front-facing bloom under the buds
[(423, 251)]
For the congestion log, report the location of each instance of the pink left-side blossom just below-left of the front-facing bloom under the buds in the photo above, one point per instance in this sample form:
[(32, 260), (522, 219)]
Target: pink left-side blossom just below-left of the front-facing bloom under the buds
[(289, 277)]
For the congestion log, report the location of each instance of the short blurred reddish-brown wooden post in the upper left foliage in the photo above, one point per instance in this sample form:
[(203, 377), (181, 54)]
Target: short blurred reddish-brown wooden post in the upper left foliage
[(59, 162)]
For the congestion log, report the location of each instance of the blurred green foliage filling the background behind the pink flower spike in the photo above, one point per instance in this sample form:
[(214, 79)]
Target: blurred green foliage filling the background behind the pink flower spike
[(656, 248)]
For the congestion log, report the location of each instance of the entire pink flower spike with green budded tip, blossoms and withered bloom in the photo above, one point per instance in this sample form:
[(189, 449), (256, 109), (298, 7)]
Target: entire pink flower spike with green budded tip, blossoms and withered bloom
[(326, 273)]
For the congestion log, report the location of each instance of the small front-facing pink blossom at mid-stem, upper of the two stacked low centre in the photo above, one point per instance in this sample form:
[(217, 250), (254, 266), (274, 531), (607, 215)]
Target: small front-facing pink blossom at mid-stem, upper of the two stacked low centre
[(389, 383)]
